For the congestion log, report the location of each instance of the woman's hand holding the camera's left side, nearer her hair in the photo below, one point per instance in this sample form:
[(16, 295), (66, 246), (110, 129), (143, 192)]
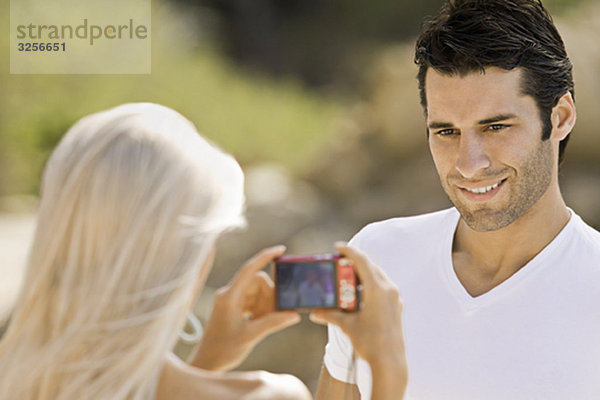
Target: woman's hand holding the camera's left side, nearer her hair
[(243, 314)]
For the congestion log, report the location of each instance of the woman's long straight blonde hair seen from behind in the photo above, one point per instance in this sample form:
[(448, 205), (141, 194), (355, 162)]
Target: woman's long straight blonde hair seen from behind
[(132, 201)]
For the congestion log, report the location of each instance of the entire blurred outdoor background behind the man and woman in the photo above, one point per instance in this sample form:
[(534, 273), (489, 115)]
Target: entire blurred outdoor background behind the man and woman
[(317, 99)]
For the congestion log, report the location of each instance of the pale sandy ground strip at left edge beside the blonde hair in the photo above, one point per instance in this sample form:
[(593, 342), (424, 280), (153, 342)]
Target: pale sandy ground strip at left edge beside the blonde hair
[(16, 231)]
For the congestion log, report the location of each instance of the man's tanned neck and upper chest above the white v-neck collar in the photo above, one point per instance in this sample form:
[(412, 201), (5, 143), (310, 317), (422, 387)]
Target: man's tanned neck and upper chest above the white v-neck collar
[(483, 260)]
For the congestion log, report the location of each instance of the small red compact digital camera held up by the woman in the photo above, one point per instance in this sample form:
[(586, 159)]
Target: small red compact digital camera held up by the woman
[(315, 281)]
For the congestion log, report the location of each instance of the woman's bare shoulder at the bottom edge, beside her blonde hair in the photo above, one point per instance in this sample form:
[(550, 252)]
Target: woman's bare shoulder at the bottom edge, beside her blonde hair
[(180, 381)]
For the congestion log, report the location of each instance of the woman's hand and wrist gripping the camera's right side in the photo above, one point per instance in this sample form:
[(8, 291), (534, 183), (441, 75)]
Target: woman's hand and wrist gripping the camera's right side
[(376, 329)]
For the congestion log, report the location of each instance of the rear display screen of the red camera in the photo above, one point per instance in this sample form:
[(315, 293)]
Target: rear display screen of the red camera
[(305, 285)]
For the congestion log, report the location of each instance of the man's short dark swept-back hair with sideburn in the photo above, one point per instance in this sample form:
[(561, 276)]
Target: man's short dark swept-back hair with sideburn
[(469, 35)]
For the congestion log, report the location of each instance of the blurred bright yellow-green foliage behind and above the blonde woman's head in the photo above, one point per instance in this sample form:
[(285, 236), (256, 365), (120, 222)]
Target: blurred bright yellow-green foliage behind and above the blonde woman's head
[(254, 117)]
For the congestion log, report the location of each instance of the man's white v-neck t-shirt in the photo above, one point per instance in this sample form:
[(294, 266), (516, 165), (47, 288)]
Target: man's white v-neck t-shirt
[(534, 336)]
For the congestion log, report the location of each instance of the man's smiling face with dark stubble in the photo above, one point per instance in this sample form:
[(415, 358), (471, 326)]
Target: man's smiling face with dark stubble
[(486, 141)]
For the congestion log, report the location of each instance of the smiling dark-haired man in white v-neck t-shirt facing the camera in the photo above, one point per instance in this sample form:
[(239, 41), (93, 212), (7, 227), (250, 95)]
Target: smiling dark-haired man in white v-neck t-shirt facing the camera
[(501, 293)]
